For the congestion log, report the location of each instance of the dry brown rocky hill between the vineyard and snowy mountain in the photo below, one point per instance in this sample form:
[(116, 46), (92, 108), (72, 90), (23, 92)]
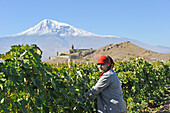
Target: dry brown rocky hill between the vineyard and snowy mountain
[(119, 52)]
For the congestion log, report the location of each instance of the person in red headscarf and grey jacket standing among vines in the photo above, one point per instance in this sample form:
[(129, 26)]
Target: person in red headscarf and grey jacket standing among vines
[(108, 89)]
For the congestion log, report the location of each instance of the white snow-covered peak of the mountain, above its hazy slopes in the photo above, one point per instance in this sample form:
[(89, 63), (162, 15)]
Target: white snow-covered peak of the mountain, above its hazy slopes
[(48, 26)]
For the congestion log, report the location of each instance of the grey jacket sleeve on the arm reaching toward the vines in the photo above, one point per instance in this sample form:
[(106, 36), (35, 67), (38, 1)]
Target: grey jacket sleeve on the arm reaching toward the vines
[(99, 86)]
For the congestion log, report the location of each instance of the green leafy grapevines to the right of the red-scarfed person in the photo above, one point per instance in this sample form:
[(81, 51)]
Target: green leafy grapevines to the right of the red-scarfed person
[(143, 83)]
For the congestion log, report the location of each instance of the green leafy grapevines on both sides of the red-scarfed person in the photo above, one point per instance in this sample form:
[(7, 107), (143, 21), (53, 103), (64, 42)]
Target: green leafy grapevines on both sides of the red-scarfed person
[(29, 85)]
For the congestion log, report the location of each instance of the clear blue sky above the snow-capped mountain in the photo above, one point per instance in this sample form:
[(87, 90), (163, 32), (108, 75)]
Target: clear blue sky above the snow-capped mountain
[(144, 20)]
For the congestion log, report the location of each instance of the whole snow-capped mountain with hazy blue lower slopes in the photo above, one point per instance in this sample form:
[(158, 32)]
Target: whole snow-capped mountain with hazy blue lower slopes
[(52, 36)]
